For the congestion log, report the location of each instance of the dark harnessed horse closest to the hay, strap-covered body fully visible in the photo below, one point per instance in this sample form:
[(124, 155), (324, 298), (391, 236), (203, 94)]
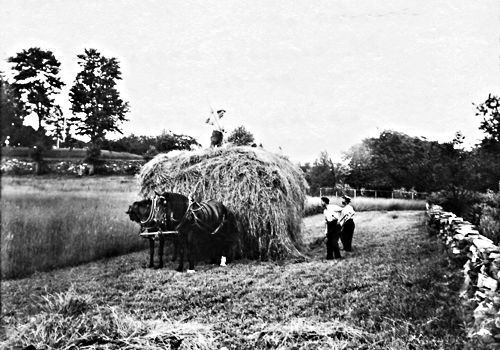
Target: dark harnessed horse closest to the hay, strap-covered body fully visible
[(204, 222)]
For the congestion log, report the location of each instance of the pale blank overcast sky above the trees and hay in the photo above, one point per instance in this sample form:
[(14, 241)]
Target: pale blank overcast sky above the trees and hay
[(306, 76)]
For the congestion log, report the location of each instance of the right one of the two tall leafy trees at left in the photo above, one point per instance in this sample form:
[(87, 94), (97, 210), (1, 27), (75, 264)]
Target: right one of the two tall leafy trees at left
[(95, 101)]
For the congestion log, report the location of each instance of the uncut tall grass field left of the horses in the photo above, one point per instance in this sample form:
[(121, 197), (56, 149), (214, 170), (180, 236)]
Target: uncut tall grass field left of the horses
[(55, 222)]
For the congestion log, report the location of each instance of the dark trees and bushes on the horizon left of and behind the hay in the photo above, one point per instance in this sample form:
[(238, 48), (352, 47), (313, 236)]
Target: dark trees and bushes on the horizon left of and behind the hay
[(96, 106)]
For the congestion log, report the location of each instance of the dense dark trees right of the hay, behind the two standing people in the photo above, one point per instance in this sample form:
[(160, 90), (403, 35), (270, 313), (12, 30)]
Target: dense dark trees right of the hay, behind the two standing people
[(394, 160)]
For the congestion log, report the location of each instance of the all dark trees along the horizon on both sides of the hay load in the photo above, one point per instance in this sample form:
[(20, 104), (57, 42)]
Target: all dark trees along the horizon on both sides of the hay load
[(393, 160)]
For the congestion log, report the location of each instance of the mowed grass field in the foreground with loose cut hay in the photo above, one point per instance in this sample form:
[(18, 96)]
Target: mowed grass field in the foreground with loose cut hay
[(395, 291)]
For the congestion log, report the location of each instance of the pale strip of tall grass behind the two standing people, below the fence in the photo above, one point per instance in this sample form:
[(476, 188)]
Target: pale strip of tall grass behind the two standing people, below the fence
[(313, 204)]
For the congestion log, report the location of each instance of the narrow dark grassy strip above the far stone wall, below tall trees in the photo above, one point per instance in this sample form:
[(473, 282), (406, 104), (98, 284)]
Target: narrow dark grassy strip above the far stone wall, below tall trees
[(65, 154)]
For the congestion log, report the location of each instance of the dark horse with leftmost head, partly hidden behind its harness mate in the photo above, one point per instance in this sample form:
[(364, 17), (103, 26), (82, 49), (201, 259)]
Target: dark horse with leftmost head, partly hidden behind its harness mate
[(146, 213)]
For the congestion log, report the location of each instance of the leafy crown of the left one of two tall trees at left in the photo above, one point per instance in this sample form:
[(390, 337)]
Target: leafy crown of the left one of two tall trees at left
[(36, 83)]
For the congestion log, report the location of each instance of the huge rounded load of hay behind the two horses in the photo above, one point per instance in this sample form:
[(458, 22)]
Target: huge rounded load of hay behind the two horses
[(264, 192)]
